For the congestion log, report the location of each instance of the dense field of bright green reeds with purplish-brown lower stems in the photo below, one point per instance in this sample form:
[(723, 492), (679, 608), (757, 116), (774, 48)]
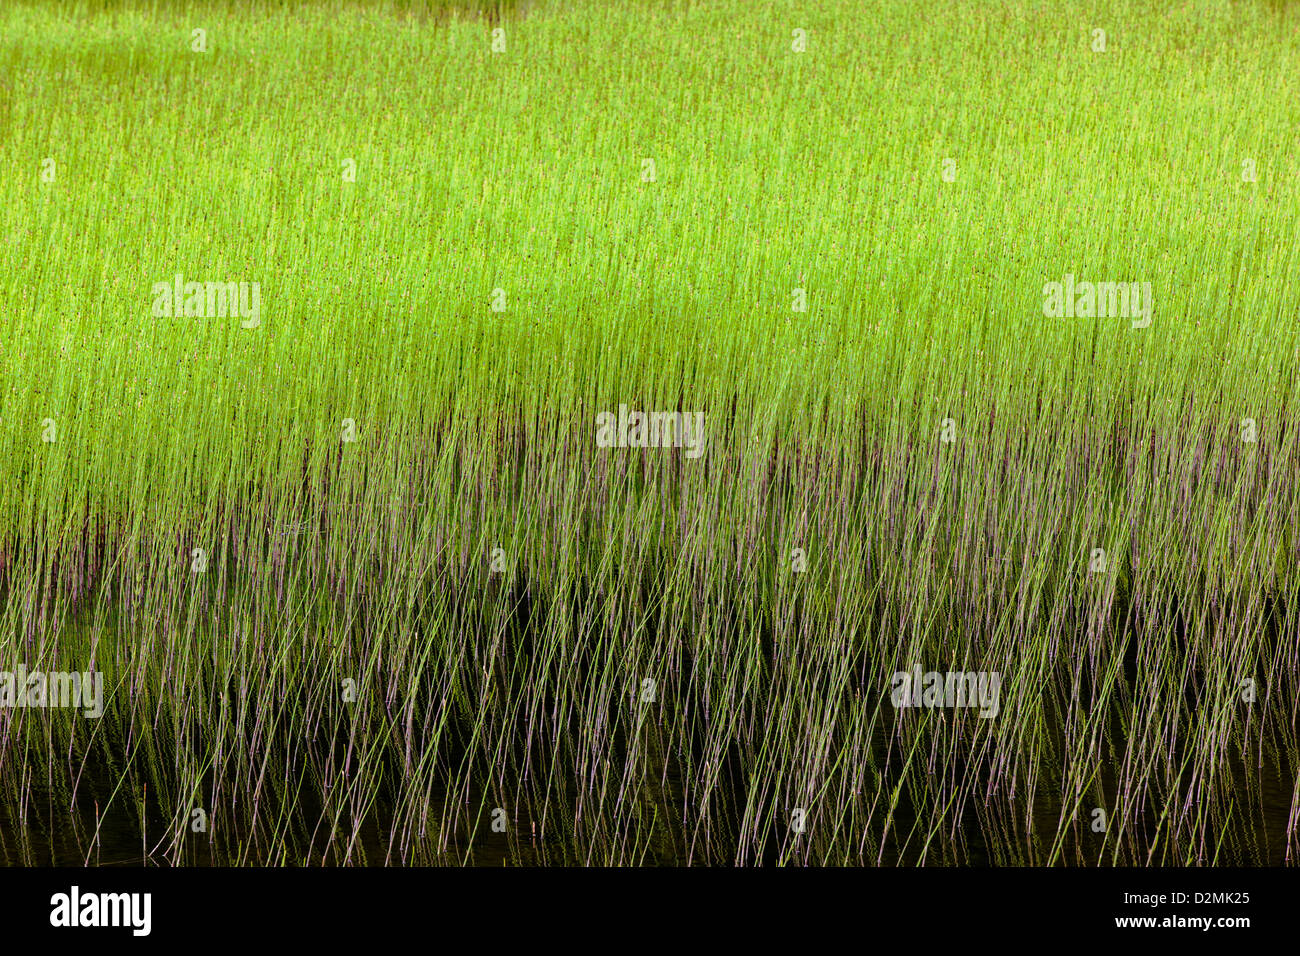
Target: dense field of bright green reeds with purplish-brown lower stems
[(365, 586)]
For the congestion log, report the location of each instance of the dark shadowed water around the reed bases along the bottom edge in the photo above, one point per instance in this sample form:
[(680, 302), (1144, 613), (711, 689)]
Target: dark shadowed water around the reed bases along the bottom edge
[(102, 827)]
